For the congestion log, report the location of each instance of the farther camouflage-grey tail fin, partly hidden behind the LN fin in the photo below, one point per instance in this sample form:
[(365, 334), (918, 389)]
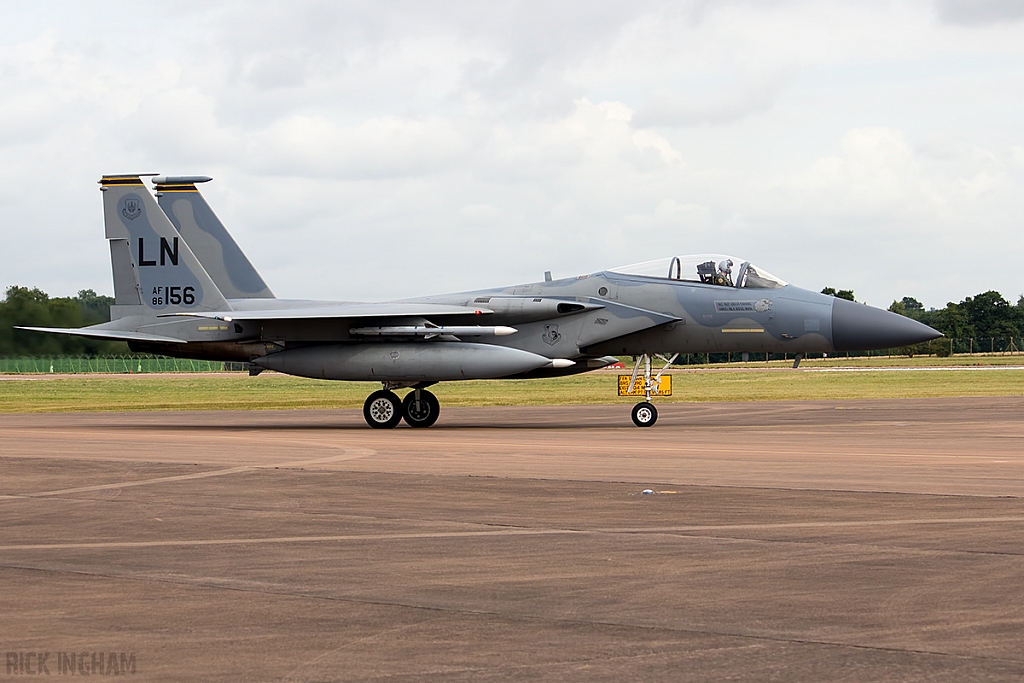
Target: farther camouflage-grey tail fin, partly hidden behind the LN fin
[(208, 238)]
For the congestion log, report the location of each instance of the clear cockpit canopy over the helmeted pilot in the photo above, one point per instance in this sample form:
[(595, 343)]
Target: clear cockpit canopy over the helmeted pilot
[(708, 269)]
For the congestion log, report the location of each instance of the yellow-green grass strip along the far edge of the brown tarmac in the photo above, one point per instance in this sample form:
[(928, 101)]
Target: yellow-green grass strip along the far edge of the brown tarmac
[(815, 381)]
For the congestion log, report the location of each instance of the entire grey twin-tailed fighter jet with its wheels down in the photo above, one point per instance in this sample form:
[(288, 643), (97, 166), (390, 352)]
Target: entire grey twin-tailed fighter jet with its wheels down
[(184, 288)]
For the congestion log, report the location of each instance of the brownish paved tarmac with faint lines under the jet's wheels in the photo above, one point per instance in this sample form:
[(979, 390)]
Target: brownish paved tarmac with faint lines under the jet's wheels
[(861, 541)]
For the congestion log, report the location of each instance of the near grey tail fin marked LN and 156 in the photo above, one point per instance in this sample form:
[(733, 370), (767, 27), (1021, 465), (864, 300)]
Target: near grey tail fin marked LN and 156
[(149, 255)]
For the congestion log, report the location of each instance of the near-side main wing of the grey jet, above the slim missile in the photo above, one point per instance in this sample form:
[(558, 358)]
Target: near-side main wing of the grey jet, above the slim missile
[(338, 312)]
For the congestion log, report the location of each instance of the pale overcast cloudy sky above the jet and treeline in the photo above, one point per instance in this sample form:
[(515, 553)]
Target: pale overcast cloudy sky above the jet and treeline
[(367, 151)]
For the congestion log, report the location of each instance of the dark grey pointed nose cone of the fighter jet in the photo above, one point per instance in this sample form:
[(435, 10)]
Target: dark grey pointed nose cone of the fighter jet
[(861, 328)]
